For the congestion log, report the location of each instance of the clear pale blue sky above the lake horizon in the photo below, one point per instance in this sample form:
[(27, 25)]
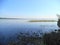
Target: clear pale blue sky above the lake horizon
[(30, 8)]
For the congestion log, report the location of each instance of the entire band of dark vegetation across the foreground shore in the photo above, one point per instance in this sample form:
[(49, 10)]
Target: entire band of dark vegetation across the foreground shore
[(52, 38)]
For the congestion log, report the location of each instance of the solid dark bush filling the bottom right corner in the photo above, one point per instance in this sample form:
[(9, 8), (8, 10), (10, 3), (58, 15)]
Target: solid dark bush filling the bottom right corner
[(52, 38)]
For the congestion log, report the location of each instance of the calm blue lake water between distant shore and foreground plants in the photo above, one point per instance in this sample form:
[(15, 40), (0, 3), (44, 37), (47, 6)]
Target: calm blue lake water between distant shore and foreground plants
[(10, 27)]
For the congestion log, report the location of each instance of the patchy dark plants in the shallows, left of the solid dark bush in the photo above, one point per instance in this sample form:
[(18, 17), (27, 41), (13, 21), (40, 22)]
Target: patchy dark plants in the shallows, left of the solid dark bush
[(26, 39)]
